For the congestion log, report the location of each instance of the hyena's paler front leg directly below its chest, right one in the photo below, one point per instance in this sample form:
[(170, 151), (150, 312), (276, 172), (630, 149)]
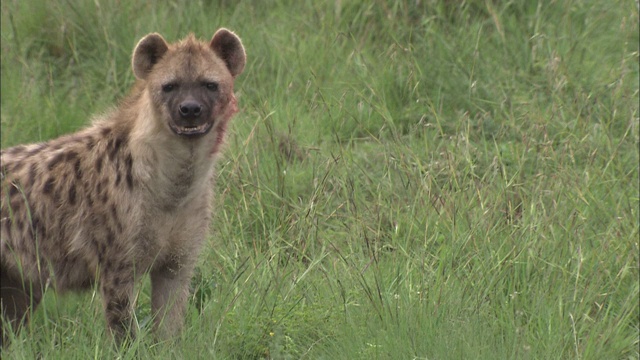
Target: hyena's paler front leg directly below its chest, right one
[(169, 295)]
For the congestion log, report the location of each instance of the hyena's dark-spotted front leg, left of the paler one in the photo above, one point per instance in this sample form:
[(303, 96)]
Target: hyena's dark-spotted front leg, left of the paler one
[(116, 286)]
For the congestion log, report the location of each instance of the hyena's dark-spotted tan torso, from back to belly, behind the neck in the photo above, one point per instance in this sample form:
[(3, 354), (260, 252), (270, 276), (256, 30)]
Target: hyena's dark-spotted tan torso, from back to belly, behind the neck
[(67, 193)]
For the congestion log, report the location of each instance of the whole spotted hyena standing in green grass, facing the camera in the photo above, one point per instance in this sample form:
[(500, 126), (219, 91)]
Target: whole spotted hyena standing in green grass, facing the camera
[(131, 194)]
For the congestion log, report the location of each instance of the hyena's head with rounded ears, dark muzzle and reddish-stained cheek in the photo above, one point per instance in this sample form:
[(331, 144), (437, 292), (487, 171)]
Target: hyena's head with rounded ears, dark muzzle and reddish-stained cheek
[(190, 82)]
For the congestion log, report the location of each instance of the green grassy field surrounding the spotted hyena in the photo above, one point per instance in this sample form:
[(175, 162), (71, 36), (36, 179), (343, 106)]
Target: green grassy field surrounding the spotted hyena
[(406, 179)]
